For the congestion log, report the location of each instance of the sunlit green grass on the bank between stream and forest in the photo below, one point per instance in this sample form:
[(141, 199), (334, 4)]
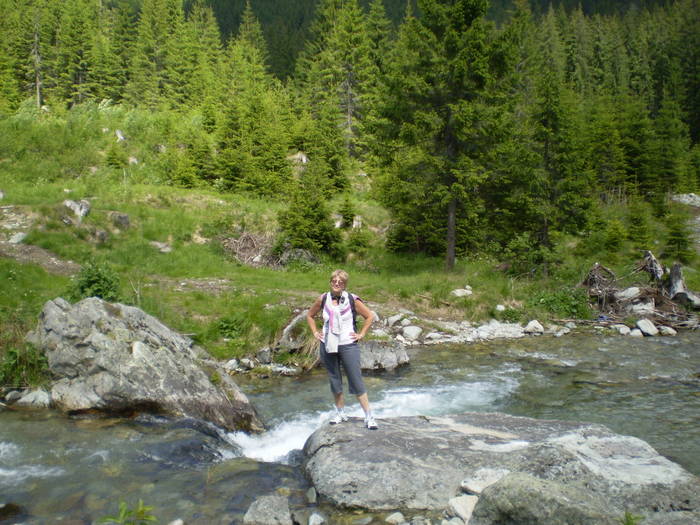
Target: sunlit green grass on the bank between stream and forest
[(45, 160)]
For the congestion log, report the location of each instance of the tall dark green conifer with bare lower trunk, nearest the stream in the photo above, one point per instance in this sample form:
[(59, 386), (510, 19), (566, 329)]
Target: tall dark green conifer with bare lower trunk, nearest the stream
[(438, 122)]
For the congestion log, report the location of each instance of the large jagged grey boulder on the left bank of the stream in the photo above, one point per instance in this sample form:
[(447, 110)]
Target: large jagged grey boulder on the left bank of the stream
[(108, 357)]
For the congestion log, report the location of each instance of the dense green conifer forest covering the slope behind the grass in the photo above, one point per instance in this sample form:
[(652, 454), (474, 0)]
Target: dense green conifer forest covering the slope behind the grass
[(496, 129)]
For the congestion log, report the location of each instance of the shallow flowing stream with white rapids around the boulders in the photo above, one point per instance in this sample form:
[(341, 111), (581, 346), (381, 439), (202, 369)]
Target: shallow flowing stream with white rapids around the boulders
[(73, 470)]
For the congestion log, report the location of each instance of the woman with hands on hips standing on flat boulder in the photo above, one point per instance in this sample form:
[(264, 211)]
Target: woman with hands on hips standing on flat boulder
[(339, 339)]
